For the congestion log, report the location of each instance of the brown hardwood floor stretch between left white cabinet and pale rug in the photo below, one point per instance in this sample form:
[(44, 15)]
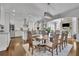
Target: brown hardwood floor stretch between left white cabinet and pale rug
[(15, 48)]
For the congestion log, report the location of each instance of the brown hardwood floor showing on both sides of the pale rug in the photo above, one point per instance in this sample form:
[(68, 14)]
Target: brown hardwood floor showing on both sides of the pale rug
[(15, 48)]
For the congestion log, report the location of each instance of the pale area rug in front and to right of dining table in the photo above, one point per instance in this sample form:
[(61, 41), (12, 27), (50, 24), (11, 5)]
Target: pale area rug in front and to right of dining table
[(64, 52)]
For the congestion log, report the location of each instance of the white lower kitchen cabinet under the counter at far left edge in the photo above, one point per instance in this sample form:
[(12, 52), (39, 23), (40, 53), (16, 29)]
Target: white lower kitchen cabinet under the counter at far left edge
[(4, 40)]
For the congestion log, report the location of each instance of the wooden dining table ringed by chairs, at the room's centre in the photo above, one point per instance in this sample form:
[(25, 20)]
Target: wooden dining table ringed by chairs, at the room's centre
[(41, 39)]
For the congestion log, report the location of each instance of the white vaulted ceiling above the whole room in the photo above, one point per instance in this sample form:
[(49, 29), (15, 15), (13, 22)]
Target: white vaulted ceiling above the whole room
[(35, 11)]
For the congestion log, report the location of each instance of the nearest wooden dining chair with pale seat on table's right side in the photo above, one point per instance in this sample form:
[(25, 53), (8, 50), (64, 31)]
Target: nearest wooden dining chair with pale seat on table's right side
[(53, 45)]
